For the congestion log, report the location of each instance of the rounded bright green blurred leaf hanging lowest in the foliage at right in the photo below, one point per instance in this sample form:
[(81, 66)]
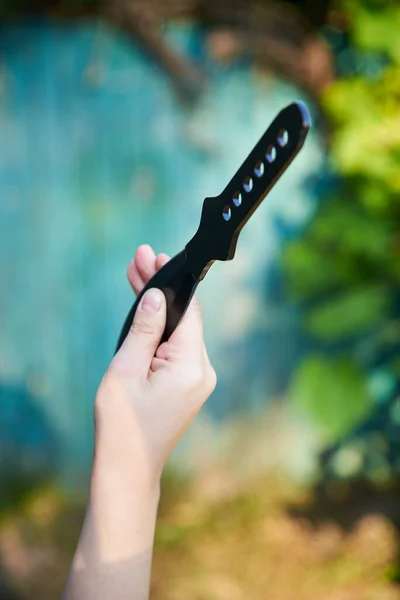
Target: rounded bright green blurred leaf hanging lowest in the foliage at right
[(333, 392)]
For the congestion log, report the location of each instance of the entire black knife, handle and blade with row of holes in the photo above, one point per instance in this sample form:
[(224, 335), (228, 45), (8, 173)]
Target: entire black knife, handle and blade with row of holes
[(224, 216)]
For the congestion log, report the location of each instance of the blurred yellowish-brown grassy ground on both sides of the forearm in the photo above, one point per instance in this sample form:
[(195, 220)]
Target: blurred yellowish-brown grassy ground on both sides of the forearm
[(236, 545)]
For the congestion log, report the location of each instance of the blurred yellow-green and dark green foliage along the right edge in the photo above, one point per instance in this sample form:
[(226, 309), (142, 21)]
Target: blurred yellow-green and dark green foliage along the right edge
[(346, 266)]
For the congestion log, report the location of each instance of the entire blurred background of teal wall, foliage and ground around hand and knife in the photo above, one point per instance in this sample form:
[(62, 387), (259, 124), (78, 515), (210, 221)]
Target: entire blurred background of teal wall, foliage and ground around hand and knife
[(117, 118)]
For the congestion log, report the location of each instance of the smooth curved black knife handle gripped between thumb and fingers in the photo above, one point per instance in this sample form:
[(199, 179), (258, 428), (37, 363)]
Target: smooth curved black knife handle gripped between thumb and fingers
[(178, 286)]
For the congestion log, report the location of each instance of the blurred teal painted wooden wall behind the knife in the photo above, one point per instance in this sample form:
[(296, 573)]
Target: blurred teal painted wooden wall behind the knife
[(96, 157)]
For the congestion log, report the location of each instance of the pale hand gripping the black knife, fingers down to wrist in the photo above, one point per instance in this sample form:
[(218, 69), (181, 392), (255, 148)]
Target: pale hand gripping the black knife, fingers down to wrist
[(150, 394)]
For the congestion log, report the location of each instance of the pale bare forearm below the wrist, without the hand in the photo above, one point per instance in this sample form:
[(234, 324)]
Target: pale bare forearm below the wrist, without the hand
[(114, 553)]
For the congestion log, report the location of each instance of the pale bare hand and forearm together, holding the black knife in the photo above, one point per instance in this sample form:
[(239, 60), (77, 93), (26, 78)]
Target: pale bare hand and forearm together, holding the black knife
[(146, 401)]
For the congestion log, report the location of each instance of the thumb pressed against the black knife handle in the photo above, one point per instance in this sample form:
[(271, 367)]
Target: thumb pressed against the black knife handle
[(144, 336)]
